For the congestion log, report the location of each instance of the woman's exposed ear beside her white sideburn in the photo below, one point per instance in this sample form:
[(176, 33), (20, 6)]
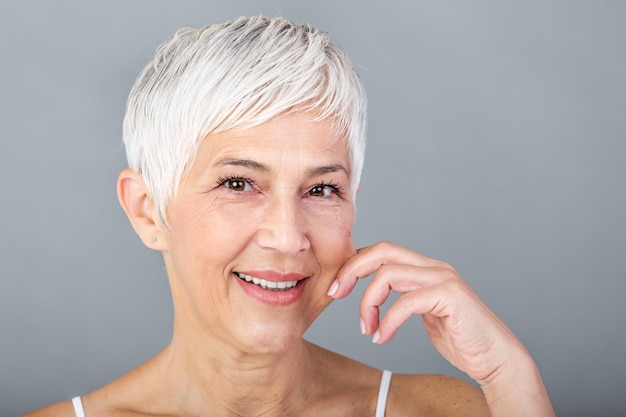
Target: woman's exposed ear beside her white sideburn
[(139, 208)]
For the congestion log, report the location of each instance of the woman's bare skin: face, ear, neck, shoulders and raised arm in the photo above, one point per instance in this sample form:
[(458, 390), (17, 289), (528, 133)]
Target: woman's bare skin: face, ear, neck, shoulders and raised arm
[(276, 198)]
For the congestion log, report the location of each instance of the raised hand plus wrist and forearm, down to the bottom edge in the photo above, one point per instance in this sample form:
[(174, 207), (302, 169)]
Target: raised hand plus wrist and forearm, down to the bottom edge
[(459, 324)]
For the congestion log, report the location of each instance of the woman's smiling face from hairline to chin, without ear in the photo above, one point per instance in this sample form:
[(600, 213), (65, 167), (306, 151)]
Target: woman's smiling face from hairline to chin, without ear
[(259, 229)]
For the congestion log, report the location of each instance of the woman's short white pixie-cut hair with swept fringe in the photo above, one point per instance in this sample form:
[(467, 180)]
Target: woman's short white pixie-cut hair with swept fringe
[(238, 74)]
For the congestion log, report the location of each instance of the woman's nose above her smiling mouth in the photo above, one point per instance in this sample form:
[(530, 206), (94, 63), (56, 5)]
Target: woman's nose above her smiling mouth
[(284, 225)]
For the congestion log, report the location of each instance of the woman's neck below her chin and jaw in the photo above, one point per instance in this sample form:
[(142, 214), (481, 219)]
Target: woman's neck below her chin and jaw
[(208, 376)]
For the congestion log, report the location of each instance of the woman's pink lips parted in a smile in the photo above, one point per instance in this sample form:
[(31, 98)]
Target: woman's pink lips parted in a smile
[(276, 298)]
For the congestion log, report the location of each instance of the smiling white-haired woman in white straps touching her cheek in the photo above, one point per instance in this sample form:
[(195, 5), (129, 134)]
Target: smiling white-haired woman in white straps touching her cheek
[(245, 143)]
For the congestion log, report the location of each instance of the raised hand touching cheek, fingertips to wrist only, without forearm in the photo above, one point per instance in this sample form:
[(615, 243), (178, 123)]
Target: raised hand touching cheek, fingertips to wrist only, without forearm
[(459, 324)]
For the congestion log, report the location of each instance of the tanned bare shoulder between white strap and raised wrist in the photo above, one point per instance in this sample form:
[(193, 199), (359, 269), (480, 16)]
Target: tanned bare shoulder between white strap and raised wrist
[(434, 395)]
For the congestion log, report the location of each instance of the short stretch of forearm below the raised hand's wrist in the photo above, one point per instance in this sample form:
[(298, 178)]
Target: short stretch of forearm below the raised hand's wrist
[(517, 390)]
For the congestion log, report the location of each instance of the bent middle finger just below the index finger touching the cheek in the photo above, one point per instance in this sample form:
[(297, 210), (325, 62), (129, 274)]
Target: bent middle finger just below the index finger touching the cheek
[(397, 278)]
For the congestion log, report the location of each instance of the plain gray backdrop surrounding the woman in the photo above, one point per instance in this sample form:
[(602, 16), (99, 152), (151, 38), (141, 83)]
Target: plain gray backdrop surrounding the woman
[(497, 135)]
